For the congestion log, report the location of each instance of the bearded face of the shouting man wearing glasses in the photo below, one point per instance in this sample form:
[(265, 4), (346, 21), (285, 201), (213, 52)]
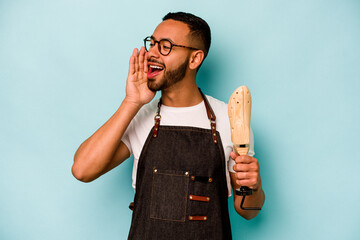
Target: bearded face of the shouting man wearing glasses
[(165, 71)]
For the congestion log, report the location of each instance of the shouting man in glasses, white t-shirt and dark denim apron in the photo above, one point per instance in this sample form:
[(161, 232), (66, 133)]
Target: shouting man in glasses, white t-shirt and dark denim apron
[(183, 164)]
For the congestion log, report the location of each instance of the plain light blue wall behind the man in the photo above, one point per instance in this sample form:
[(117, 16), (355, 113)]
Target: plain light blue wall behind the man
[(63, 67)]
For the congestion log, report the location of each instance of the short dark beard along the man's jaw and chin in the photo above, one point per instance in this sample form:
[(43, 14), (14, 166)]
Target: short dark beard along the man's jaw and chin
[(170, 77)]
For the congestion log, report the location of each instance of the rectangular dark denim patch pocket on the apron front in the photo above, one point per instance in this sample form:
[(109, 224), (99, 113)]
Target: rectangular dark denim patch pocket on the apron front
[(169, 195)]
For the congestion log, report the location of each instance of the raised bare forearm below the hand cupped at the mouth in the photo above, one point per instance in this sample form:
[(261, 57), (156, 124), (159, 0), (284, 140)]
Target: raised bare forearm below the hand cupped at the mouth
[(95, 155)]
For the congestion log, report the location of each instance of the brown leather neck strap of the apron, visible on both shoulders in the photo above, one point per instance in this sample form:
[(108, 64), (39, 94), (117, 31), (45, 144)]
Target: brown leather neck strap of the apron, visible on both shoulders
[(209, 112)]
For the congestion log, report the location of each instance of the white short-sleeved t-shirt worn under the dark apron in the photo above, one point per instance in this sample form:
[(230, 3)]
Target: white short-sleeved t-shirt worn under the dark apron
[(194, 116)]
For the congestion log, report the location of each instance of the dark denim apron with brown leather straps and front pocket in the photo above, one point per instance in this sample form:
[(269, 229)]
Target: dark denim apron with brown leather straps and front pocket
[(181, 189)]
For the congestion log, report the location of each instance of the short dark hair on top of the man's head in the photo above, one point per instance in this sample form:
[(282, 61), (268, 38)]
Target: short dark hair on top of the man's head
[(198, 27)]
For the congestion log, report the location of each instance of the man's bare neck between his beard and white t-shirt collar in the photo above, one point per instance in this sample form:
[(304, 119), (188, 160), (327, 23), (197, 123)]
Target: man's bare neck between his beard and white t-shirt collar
[(184, 93)]
